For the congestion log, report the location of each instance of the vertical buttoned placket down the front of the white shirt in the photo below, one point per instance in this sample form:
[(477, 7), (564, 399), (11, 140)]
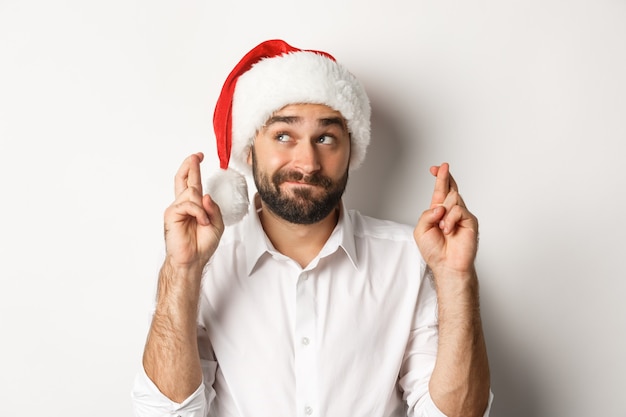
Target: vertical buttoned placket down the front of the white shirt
[(305, 347)]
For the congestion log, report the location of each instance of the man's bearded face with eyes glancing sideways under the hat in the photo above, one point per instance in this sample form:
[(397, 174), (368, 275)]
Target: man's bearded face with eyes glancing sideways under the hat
[(300, 162)]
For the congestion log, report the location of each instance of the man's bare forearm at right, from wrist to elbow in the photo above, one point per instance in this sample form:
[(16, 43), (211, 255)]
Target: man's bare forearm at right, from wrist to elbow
[(459, 385)]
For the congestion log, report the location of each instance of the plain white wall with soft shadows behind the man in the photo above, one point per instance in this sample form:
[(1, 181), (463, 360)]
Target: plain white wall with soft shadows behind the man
[(100, 102)]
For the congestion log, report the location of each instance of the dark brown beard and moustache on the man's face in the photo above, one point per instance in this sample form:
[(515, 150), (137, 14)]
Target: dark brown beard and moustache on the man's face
[(302, 207)]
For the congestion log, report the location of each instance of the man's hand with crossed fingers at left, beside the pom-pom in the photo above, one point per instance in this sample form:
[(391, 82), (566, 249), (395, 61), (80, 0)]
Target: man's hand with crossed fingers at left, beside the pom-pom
[(193, 223)]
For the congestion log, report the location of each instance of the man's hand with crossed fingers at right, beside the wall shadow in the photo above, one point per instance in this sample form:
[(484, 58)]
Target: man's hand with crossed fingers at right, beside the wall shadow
[(447, 233)]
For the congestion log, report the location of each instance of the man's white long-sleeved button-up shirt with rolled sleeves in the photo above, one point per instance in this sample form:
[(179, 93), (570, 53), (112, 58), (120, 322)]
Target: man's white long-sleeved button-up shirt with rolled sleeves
[(354, 333)]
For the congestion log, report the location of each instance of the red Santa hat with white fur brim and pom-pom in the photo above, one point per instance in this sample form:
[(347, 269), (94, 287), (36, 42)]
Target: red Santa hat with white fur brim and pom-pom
[(269, 77)]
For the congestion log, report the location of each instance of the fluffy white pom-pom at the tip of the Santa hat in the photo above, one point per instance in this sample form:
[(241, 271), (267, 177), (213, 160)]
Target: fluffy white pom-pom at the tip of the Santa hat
[(229, 189)]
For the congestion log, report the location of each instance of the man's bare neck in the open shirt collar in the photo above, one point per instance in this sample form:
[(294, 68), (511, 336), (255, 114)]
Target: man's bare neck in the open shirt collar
[(300, 242)]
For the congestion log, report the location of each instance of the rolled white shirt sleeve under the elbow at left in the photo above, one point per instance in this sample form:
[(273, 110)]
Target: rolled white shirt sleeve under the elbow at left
[(148, 401)]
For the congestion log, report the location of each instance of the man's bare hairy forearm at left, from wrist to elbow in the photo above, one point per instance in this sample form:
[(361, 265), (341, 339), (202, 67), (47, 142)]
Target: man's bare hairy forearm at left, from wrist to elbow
[(171, 358)]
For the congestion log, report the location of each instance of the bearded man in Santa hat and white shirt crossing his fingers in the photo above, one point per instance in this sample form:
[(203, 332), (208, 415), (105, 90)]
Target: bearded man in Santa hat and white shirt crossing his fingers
[(305, 308)]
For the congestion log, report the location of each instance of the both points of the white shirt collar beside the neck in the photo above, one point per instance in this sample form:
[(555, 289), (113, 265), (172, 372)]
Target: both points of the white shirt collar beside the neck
[(259, 245)]
